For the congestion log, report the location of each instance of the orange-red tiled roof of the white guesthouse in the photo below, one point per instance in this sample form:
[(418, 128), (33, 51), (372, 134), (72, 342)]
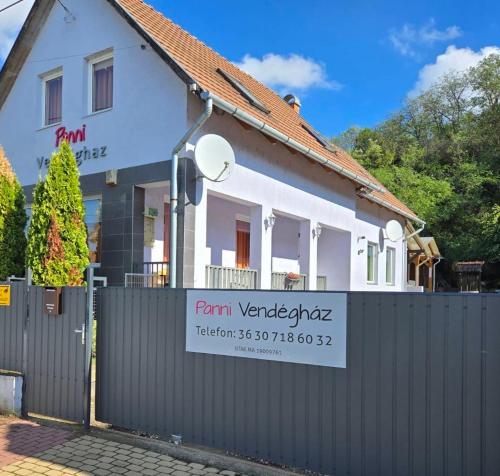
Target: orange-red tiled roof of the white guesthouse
[(191, 58)]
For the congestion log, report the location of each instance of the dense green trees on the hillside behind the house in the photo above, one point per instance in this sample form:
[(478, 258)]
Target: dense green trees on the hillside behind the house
[(440, 154)]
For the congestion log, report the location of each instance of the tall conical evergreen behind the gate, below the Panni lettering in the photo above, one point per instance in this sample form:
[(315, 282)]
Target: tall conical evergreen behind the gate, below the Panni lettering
[(57, 239)]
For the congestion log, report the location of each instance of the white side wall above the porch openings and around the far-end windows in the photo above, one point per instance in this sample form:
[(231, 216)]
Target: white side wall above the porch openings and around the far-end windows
[(268, 175)]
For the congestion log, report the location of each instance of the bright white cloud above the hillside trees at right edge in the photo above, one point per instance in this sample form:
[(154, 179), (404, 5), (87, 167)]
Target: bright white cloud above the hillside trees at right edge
[(453, 60)]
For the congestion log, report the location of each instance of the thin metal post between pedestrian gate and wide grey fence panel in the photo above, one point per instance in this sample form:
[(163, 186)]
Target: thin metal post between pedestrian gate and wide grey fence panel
[(89, 321)]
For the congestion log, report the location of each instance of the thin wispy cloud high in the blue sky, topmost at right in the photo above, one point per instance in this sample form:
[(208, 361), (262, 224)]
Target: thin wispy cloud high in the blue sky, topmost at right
[(408, 39)]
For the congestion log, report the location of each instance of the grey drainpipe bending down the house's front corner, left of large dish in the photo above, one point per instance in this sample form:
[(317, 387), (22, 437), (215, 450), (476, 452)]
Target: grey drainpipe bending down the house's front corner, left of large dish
[(174, 192)]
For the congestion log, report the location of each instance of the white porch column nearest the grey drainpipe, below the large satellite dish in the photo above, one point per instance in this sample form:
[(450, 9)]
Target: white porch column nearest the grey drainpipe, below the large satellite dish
[(200, 234)]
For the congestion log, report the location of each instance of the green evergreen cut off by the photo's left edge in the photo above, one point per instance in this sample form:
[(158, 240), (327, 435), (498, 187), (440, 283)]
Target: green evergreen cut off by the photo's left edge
[(12, 222)]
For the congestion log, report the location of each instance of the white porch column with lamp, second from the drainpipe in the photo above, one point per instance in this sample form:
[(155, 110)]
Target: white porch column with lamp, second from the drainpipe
[(261, 237)]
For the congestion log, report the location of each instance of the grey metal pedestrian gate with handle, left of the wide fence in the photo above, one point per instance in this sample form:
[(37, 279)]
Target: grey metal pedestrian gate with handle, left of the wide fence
[(55, 356)]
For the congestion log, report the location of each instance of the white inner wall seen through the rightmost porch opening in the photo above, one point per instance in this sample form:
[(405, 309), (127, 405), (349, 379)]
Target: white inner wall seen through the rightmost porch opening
[(334, 258)]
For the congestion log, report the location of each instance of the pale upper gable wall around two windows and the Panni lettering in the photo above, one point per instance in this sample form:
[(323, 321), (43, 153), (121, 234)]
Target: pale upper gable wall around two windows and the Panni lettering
[(149, 113)]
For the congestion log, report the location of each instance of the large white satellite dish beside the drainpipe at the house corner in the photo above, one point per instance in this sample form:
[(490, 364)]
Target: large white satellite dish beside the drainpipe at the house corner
[(214, 157)]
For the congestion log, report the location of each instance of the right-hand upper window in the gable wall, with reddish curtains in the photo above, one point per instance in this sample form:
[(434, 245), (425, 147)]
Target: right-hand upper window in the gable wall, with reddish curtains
[(101, 72)]
